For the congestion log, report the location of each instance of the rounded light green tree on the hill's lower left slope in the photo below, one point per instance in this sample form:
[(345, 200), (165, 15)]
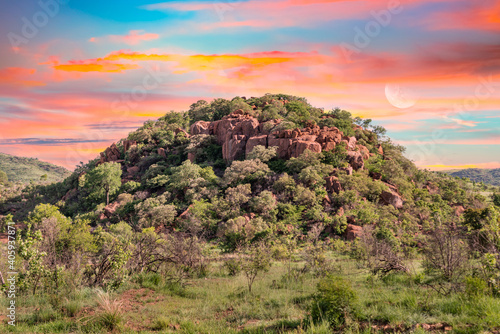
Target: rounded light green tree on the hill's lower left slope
[(105, 179)]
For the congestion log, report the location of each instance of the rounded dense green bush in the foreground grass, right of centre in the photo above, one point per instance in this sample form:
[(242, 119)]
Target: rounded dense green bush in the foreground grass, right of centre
[(334, 302)]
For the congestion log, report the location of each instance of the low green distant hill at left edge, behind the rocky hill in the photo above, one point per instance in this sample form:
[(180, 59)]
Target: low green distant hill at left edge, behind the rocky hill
[(19, 169)]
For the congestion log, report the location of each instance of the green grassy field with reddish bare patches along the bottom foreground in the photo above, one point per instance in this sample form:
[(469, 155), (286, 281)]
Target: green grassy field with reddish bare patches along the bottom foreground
[(219, 303)]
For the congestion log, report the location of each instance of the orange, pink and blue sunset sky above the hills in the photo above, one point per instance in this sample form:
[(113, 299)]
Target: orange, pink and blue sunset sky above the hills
[(76, 76)]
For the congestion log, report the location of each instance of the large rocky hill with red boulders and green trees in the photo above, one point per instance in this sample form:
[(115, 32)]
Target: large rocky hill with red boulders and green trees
[(258, 163)]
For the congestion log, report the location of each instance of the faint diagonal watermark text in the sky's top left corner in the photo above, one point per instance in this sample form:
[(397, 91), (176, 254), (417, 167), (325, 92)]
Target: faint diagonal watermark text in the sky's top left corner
[(31, 27)]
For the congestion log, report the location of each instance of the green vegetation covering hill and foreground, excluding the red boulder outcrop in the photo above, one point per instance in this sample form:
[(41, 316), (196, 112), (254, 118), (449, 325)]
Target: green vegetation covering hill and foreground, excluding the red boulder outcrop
[(154, 241)]
